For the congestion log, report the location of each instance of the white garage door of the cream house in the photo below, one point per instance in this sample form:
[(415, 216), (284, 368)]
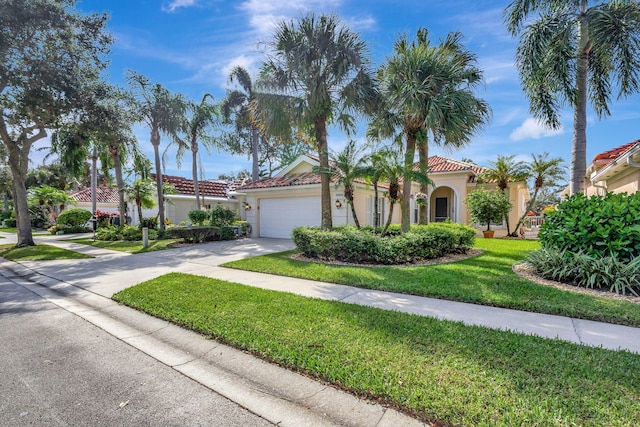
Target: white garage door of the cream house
[(278, 217)]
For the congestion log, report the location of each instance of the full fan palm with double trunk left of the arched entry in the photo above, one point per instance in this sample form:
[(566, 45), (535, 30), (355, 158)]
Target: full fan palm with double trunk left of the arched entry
[(428, 92)]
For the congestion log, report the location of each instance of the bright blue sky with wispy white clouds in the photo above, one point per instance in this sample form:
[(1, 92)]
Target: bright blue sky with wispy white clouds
[(191, 45)]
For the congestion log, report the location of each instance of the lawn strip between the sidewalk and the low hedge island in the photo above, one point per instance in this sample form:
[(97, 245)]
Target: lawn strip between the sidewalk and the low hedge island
[(487, 279)]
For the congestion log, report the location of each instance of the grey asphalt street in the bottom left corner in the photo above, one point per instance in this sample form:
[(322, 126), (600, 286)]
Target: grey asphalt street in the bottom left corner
[(57, 369)]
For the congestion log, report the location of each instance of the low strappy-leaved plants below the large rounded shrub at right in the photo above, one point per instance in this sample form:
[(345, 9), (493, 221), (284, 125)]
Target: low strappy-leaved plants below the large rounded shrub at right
[(580, 269)]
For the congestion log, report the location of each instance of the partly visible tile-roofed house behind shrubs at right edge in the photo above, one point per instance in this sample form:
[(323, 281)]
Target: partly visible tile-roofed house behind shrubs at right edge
[(616, 170)]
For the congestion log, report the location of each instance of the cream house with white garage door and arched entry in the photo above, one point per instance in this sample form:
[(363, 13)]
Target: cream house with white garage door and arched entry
[(292, 198)]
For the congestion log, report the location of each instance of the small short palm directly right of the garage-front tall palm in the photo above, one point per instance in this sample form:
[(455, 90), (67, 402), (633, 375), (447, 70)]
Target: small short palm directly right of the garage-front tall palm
[(347, 166)]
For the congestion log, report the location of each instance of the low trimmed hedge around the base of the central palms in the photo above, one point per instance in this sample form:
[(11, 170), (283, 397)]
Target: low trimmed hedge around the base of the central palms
[(348, 244)]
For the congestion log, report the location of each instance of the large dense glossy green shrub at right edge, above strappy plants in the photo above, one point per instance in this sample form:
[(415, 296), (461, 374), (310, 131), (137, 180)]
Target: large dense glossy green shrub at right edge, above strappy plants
[(599, 226)]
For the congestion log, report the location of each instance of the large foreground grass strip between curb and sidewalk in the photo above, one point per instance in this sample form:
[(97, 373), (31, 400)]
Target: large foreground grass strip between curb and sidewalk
[(438, 370)]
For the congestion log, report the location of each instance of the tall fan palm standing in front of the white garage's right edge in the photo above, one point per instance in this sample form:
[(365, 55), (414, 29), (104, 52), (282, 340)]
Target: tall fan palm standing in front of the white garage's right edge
[(315, 75)]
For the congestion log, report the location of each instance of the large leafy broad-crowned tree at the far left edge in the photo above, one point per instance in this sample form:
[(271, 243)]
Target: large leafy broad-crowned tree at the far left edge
[(51, 56)]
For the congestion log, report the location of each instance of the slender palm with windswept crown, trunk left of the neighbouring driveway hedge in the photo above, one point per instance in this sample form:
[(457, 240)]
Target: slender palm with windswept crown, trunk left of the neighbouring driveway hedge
[(161, 111)]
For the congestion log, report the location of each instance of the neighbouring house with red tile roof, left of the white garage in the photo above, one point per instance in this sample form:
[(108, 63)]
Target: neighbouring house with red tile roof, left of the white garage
[(212, 193)]
